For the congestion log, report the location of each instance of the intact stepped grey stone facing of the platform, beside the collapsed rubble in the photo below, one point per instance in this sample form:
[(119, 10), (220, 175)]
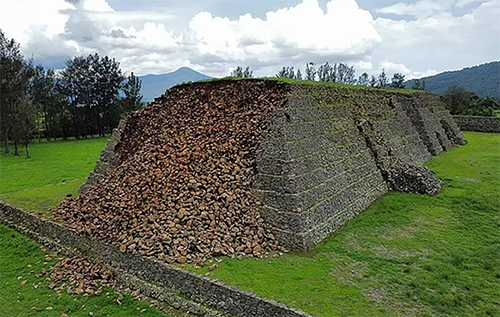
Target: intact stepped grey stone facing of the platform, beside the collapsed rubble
[(331, 151)]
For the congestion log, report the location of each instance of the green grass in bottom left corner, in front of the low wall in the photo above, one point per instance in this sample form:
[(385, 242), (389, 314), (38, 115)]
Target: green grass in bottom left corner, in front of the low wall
[(17, 300)]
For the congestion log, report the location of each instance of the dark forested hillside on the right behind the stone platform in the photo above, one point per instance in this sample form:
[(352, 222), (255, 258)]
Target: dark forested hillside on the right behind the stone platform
[(483, 80)]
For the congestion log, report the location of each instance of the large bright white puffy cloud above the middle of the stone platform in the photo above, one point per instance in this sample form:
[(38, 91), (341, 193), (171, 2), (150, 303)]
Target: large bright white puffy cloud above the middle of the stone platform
[(301, 30)]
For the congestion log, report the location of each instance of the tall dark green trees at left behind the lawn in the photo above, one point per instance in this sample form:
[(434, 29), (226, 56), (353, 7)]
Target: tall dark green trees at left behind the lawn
[(87, 98)]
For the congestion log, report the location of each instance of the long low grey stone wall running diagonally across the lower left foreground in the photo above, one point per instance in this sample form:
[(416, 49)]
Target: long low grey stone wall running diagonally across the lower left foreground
[(178, 288)]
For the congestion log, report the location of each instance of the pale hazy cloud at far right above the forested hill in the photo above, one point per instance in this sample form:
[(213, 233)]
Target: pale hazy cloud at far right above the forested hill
[(441, 40)]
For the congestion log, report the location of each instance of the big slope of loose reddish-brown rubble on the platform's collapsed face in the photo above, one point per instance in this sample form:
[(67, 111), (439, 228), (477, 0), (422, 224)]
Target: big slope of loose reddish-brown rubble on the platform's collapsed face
[(181, 191)]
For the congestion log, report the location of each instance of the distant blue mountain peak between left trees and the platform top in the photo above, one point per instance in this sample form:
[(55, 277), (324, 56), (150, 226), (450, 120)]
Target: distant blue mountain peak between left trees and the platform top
[(155, 85)]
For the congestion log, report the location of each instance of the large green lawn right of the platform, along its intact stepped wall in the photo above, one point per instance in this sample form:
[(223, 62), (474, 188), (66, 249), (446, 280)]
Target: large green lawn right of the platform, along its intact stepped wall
[(408, 255)]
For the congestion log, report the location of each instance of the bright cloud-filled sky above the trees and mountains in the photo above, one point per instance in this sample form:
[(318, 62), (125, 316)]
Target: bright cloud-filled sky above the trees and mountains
[(414, 37)]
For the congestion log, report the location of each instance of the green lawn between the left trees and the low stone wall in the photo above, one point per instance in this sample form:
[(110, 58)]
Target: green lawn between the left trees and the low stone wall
[(54, 170)]
